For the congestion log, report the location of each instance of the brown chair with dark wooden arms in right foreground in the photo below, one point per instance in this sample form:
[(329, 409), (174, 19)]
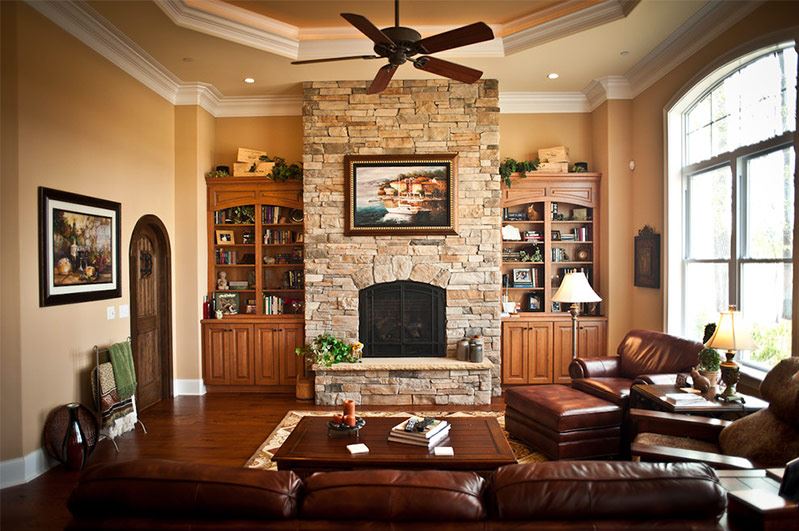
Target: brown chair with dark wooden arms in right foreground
[(768, 438)]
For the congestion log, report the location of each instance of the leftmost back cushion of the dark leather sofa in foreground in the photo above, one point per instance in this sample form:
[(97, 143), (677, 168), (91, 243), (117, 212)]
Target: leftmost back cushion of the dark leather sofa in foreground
[(170, 489)]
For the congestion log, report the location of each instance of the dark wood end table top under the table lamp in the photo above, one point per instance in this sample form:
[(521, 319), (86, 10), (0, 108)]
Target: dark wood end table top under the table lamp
[(653, 397)]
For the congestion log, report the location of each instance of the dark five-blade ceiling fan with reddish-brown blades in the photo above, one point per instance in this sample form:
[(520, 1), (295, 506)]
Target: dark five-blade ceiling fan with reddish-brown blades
[(399, 45)]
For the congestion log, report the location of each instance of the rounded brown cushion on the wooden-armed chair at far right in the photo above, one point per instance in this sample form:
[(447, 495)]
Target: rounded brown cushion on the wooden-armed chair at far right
[(762, 438)]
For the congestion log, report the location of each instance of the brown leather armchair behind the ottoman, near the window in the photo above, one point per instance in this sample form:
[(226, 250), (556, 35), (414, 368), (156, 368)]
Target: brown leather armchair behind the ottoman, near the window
[(643, 356)]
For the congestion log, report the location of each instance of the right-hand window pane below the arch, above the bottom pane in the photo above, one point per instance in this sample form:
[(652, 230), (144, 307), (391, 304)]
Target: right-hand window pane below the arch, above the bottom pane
[(769, 205)]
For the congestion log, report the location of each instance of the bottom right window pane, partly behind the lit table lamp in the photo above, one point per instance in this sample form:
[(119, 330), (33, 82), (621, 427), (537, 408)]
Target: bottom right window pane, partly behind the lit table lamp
[(766, 304)]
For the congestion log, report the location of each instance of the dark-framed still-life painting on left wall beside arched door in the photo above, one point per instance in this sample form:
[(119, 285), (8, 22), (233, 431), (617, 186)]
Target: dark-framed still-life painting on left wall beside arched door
[(79, 255)]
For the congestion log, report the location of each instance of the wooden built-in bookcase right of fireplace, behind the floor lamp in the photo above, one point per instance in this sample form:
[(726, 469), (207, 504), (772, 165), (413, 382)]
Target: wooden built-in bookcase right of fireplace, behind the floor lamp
[(557, 216)]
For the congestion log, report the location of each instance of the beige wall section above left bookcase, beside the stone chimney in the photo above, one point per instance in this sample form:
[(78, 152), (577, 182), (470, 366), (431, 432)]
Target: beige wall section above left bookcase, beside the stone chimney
[(277, 135)]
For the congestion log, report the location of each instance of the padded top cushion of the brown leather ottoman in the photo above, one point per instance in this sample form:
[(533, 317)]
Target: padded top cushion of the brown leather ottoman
[(562, 408)]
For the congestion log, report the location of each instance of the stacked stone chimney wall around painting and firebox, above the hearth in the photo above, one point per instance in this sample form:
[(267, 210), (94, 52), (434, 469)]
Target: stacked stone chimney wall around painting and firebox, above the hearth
[(409, 117)]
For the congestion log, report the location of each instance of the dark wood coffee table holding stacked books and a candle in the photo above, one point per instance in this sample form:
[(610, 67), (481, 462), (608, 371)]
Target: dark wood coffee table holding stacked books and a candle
[(478, 442)]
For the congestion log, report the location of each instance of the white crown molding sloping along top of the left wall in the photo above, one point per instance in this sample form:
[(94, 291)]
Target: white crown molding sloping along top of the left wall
[(87, 25)]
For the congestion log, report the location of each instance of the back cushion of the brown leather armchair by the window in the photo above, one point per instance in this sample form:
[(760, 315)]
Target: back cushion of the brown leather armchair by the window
[(650, 352)]
